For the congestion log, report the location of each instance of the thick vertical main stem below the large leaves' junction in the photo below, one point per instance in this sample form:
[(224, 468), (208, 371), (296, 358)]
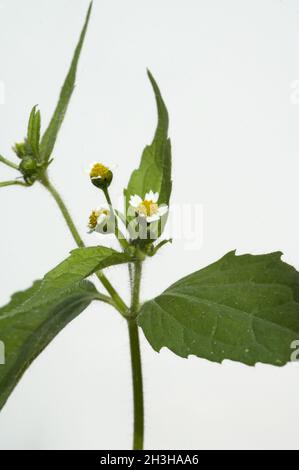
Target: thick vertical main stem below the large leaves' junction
[(137, 385)]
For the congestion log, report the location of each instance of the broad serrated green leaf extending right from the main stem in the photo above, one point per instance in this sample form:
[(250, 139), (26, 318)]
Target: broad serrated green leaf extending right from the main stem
[(244, 308)]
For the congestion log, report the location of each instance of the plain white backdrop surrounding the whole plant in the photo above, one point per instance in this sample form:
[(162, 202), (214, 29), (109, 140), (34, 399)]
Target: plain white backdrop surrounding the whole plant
[(225, 69)]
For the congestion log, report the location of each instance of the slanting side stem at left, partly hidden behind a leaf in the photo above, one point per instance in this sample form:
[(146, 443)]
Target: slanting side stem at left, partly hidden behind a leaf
[(117, 300)]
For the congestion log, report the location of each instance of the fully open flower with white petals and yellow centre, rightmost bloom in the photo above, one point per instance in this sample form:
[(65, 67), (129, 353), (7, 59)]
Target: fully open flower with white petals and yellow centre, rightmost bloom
[(148, 207)]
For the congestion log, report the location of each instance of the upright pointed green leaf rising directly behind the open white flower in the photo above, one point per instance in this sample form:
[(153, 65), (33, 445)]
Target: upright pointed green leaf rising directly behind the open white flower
[(154, 172)]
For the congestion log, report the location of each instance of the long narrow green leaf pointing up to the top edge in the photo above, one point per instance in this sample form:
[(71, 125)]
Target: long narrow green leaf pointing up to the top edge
[(50, 135)]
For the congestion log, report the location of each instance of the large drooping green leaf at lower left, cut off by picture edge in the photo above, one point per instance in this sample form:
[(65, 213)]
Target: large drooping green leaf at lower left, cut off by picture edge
[(29, 322)]
